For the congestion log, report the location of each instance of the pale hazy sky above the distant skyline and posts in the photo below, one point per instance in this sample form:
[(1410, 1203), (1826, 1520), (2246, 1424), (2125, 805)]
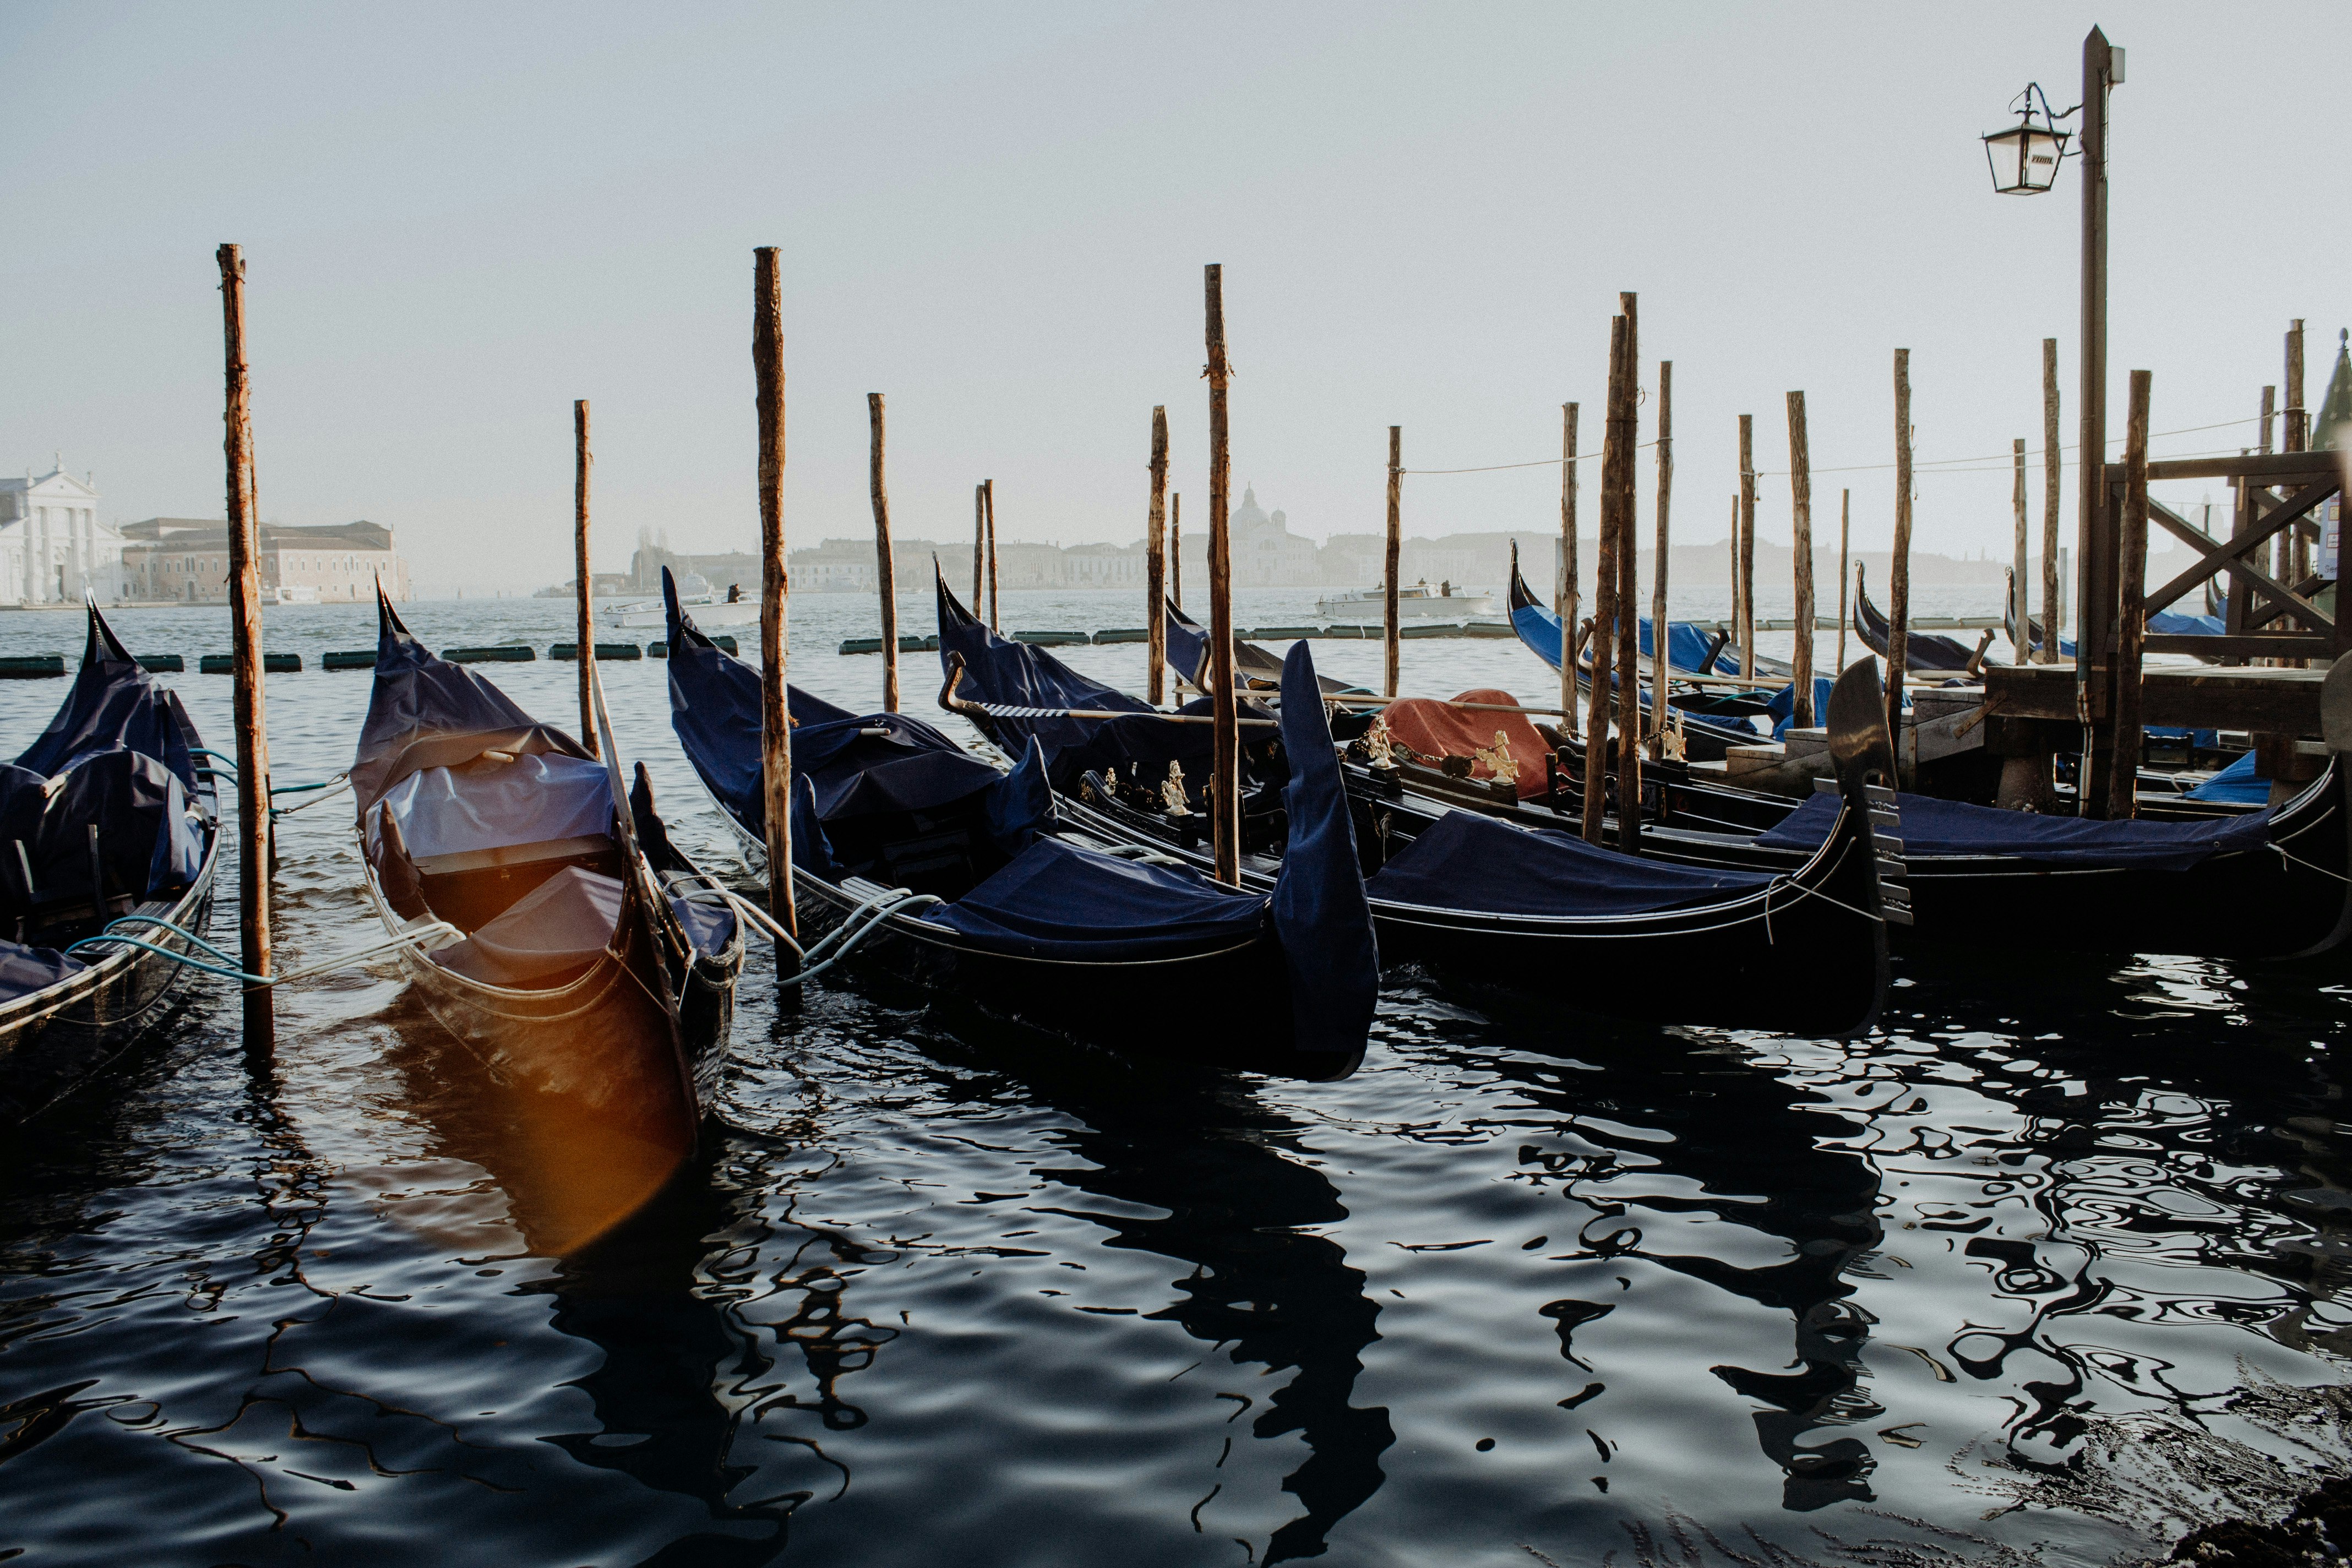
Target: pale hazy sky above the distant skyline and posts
[(457, 220)]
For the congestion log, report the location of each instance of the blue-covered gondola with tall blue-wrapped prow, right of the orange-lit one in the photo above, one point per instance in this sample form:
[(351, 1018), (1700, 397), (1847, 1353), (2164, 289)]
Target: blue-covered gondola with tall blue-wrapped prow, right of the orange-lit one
[(965, 880)]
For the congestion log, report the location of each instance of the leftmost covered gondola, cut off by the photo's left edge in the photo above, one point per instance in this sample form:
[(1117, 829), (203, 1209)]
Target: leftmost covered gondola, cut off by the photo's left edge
[(112, 824)]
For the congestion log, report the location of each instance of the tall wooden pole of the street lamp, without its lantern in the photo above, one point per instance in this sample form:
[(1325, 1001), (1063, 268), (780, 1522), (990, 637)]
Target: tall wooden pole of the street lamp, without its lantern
[(2094, 535)]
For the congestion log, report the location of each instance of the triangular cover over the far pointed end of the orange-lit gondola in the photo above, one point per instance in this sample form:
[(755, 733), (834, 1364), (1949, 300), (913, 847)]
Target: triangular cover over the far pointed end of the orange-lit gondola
[(429, 713)]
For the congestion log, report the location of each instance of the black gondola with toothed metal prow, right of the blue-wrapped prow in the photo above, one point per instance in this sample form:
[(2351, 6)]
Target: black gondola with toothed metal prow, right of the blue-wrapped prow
[(1537, 913)]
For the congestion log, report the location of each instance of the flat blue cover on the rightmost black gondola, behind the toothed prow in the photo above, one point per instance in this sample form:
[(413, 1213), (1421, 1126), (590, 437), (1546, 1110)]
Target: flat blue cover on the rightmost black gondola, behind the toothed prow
[(1956, 829)]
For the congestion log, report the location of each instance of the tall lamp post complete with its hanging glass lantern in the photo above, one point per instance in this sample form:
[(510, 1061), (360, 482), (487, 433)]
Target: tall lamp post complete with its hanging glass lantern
[(2026, 161)]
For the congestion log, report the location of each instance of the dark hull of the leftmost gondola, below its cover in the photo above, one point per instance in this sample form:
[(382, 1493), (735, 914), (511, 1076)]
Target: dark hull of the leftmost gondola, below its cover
[(60, 1040)]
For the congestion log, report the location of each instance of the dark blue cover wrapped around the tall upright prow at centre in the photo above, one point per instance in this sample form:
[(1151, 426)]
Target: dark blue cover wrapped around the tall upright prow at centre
[(1321, 906)]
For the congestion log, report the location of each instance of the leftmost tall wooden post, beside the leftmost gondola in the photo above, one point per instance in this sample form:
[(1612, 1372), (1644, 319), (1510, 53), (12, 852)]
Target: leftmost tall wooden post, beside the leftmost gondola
[(246, 648)]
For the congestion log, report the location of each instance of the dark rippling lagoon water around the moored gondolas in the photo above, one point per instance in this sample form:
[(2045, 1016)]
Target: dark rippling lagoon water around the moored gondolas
[(2047, 1264)]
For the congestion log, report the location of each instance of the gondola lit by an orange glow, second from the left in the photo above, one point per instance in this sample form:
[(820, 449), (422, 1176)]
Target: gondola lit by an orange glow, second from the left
[(552, 925)]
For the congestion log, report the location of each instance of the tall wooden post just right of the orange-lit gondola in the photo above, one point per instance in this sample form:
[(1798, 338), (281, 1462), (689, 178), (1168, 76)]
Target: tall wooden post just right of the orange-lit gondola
[(775, 591)]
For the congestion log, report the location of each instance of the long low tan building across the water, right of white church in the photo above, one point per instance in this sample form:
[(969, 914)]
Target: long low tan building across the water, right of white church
[(187, 558)]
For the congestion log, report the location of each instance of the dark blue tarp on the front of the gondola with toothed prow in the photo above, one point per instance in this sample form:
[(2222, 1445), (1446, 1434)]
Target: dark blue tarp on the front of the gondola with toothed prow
[(1471, 862)]
